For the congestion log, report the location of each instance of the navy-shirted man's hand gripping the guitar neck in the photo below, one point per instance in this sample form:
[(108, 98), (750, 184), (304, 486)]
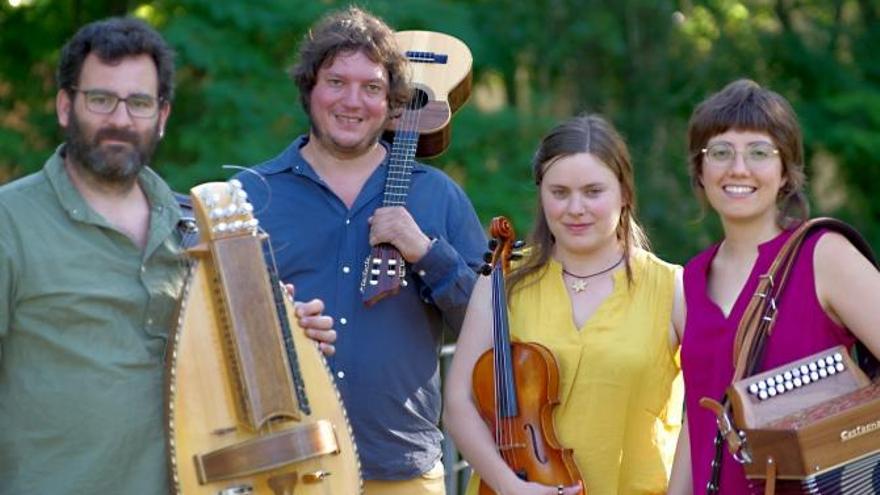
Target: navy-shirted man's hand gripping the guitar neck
[(394, 225)]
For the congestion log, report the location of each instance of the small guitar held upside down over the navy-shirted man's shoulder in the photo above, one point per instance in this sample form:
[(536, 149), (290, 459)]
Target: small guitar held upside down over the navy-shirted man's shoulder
[(440, 67)]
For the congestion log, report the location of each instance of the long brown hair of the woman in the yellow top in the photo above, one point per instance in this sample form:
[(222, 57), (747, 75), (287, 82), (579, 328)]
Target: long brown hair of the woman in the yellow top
[(586, 133)]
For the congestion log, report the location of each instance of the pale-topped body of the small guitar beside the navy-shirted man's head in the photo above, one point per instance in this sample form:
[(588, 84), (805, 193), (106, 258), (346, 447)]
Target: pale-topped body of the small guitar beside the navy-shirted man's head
[(440, 67)]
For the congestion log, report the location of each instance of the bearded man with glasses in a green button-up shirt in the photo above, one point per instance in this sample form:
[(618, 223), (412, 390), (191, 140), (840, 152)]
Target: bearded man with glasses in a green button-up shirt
[(91, 269)]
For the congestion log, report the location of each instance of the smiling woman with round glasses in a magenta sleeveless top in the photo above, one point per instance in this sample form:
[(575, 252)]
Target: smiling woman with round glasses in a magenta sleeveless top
[(746, 162)]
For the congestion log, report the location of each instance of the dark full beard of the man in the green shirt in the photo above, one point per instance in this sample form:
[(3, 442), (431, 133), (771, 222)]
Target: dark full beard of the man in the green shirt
[(113, 164)]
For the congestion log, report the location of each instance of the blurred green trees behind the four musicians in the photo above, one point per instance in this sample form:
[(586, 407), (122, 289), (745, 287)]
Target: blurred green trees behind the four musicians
[(642, 63)]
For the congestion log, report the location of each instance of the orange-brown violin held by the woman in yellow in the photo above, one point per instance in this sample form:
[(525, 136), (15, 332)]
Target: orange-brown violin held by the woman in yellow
[(516, 388)]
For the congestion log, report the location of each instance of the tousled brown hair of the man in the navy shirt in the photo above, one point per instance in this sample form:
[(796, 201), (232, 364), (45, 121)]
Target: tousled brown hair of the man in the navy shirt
[(349, 31)]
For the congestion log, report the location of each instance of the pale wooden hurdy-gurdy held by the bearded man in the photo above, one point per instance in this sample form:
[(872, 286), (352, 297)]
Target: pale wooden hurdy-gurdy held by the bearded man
[(251, 405)]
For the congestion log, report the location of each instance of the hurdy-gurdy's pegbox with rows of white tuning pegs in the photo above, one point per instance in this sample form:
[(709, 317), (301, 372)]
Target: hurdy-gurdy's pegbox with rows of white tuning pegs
[(222, 210)]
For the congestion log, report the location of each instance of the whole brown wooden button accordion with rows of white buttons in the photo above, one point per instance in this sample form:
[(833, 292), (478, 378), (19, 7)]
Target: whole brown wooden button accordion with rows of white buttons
[(811, 426)]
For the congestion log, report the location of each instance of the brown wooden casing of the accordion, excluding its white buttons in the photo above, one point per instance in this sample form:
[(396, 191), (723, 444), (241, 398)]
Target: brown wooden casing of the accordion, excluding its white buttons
[(809, 430)]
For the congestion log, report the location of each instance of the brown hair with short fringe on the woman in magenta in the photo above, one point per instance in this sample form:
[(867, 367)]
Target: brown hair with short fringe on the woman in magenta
[(744, 105)]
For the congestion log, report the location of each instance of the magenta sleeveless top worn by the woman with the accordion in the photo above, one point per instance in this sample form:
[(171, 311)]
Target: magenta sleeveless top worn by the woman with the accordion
[(802, 328)]
